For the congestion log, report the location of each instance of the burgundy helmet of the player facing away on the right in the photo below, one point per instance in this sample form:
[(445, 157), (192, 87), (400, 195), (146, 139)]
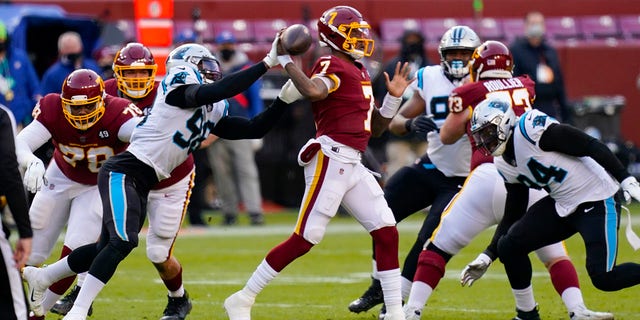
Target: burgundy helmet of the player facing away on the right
[(492, 59)]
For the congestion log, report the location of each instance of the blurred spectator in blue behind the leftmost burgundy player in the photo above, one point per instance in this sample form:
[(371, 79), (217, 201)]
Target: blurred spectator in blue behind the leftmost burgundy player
[(71, 57)]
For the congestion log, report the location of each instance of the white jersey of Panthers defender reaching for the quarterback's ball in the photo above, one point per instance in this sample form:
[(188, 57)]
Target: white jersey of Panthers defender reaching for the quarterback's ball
[(166, 136)]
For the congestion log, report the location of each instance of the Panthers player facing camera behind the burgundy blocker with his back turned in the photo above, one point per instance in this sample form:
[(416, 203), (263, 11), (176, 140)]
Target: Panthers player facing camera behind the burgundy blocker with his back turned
[(434, 179)]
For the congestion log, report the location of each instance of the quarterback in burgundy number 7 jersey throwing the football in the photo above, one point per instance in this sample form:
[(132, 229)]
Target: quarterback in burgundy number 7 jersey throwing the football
[(345, 116)]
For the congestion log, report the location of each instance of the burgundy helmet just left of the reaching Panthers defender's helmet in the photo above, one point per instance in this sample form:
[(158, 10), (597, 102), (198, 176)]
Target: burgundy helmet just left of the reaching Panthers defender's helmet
[(134, 56)]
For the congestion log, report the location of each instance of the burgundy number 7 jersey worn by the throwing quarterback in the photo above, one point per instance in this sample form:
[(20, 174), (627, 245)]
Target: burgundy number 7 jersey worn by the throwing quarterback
[(345, 115)]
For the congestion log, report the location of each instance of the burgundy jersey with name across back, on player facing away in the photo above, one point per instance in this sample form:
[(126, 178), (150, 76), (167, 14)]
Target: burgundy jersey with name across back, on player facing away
[(521, 91)]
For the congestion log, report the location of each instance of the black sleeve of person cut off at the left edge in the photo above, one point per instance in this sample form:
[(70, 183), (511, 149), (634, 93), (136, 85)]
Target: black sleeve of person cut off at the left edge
[(10, 179)]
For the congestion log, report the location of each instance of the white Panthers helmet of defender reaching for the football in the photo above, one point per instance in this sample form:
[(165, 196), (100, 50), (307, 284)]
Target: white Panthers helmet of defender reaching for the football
[(198, 57)]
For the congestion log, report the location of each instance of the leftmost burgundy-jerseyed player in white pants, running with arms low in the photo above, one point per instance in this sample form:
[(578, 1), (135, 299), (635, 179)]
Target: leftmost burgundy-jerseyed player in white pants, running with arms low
[(87, 127)]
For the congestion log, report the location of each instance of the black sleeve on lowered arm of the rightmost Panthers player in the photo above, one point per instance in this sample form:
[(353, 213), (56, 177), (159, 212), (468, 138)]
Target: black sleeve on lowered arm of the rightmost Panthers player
[(515, 207)]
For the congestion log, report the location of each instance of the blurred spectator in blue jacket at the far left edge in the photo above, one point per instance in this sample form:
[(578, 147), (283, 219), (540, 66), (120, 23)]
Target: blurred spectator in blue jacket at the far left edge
[(19, 81)]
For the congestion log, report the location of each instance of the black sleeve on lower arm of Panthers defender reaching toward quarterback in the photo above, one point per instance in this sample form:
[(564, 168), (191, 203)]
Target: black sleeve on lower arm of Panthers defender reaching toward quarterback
[(235, 128)]
